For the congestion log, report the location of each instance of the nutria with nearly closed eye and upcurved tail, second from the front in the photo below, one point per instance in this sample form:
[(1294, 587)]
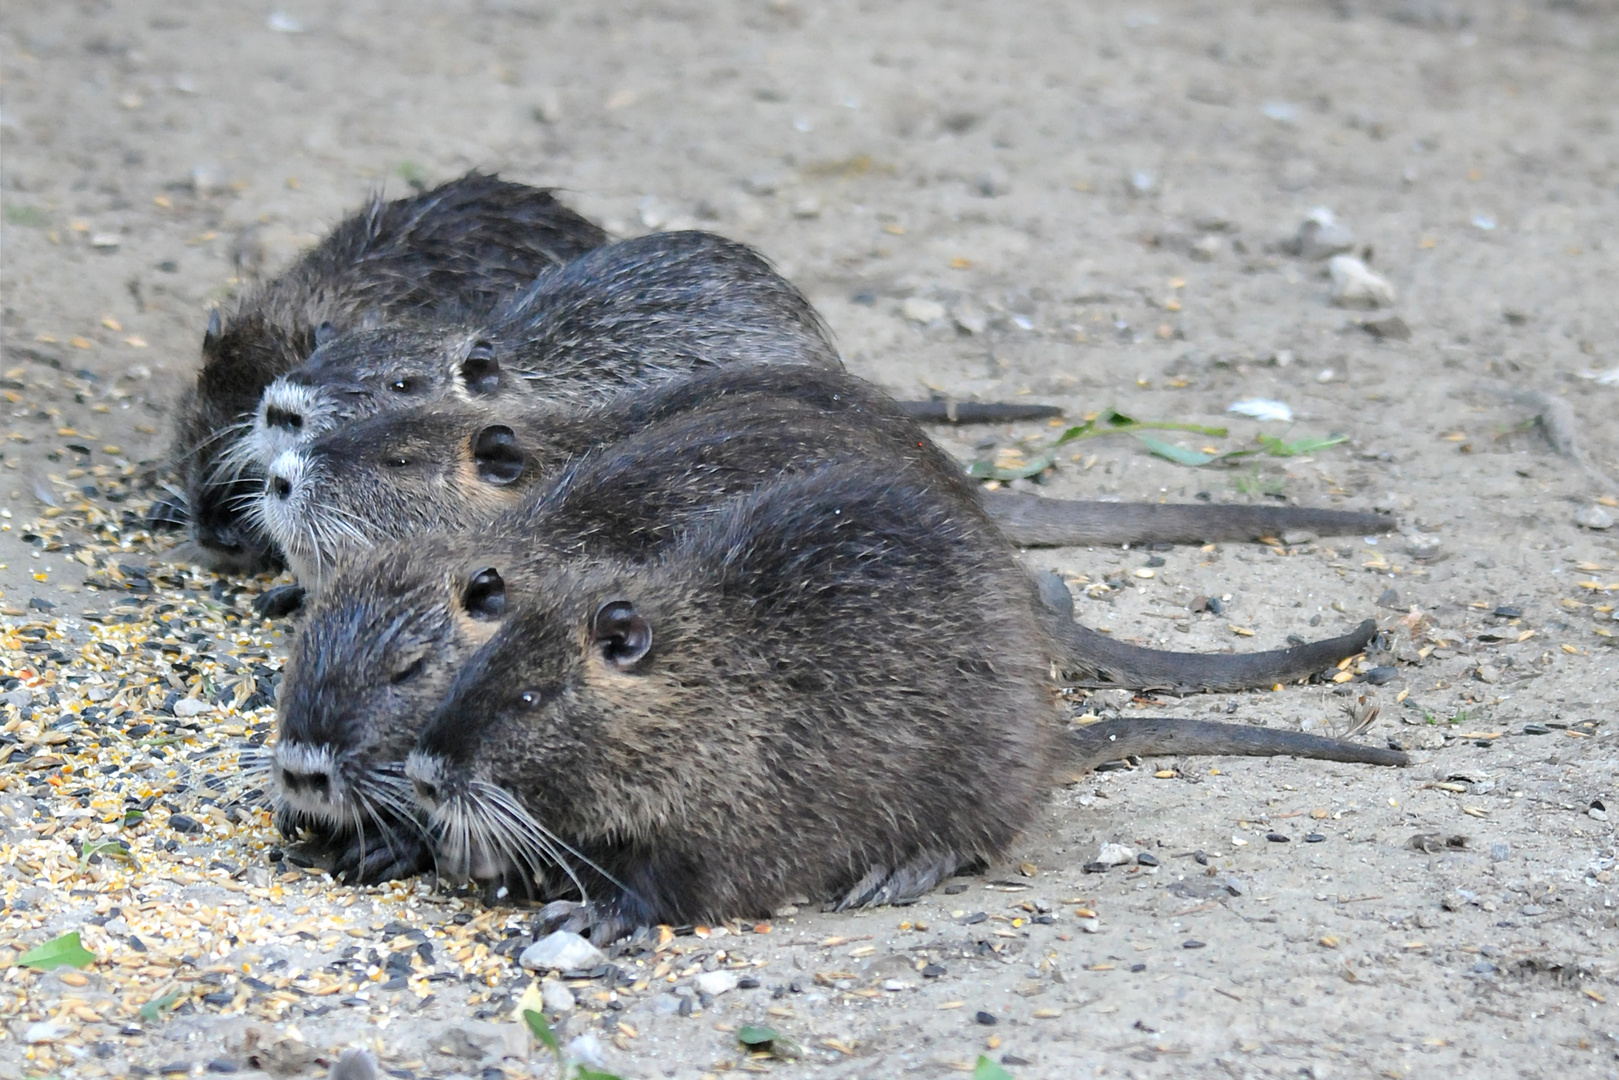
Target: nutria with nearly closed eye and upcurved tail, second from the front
[(391, 626)]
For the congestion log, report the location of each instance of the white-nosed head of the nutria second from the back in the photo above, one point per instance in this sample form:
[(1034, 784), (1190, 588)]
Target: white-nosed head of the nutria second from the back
[(362, 373)]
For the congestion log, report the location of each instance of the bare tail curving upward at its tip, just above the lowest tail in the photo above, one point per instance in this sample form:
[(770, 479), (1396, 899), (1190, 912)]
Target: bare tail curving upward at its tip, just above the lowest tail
[(1095, 660)]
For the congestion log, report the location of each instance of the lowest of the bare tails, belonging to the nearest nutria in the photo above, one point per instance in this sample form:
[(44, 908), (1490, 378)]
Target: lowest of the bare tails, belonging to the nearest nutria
[(1131, 738)]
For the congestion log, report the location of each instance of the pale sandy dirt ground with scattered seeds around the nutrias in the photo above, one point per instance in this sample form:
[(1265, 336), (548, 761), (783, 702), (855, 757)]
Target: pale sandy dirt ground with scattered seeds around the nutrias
[(1089, 205)]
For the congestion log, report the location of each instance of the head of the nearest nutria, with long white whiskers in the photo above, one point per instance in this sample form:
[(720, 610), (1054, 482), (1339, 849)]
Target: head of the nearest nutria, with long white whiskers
[(577, 720)]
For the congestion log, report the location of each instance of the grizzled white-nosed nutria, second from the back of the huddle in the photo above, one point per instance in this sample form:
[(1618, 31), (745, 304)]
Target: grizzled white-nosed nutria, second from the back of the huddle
[(631, 313)]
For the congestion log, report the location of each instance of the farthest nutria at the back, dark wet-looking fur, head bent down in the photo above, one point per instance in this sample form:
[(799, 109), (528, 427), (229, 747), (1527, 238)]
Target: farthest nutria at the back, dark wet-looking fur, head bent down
[(457, 249)]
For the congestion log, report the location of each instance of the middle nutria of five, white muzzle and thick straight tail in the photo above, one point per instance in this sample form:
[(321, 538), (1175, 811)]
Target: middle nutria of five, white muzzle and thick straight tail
[(456, 464)]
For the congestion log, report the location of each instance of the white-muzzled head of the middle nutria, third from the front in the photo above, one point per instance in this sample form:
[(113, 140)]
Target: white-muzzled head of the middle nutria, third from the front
[(433, 469)]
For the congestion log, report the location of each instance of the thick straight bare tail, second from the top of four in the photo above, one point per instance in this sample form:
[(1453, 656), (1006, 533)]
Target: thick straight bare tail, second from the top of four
[(1034, 522)]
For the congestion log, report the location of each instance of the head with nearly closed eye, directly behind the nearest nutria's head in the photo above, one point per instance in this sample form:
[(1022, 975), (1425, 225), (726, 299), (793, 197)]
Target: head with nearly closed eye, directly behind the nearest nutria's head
[(376, 653)]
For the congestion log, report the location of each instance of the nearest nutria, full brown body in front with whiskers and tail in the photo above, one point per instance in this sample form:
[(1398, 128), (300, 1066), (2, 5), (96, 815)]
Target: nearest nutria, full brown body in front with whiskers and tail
[(838, 686)]
